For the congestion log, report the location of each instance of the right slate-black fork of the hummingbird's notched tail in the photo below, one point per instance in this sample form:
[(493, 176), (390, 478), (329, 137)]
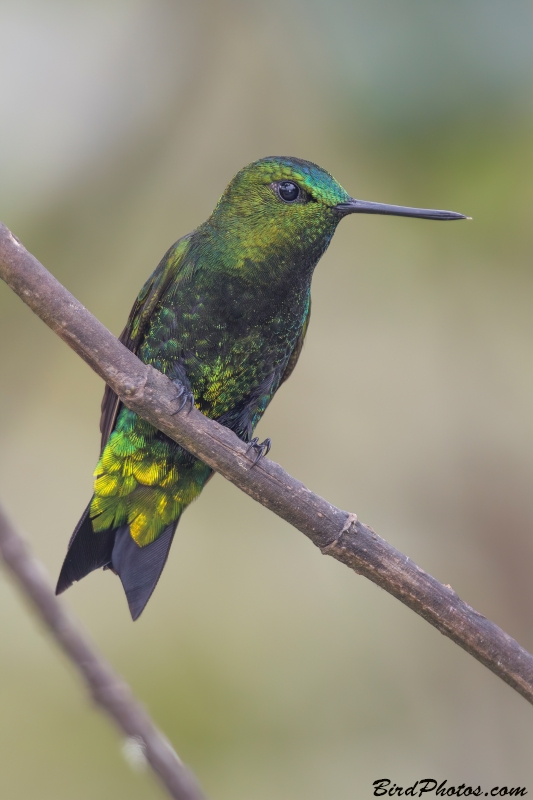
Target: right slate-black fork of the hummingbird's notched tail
[(139, 568)]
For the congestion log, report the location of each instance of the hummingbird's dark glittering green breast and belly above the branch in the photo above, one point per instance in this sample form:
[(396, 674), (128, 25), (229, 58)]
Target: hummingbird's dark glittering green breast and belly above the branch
[(230, 338)]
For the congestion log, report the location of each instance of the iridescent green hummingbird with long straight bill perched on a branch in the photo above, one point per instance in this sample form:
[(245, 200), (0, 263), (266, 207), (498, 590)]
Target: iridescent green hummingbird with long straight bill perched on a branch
[(225, 316)]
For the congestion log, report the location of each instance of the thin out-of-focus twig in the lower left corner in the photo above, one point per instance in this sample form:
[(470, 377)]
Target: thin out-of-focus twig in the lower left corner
[(108, 690)]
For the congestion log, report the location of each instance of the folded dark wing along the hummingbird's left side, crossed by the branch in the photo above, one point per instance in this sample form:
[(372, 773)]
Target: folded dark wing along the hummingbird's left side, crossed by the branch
[(143, 308)]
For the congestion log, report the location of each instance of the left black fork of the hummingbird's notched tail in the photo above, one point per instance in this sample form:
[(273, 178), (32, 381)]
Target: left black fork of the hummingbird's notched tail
[(86, 552)]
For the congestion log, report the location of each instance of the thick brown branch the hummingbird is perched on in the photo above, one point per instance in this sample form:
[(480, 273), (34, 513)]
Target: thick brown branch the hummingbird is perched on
[(335, 532)]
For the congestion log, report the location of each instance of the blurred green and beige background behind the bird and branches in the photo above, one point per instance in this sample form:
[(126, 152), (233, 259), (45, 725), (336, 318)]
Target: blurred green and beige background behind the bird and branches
[(278, 673)]
